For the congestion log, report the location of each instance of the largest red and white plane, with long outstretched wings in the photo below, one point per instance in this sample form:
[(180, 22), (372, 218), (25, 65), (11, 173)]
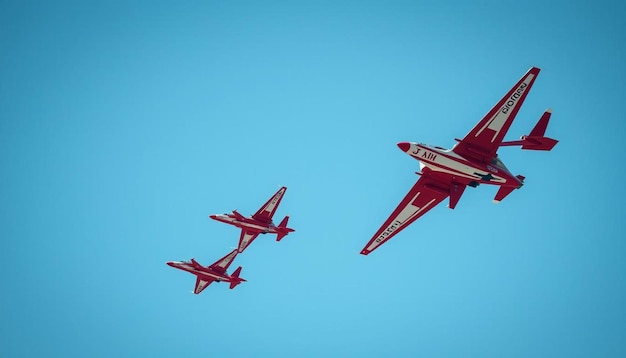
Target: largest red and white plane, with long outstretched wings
[(472, 161)]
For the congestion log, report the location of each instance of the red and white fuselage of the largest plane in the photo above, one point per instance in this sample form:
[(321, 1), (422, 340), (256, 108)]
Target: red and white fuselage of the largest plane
[(463, 170)]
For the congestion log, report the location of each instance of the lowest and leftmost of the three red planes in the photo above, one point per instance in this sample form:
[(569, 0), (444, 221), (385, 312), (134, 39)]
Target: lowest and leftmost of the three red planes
[(209, 274)]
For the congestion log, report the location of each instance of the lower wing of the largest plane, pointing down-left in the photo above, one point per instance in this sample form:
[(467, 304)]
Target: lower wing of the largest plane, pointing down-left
[(423, 196)]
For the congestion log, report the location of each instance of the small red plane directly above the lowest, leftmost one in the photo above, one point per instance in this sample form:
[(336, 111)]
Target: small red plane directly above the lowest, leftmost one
[(259, 223)]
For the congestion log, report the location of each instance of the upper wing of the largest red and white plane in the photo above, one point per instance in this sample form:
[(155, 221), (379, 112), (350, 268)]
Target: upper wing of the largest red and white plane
[(483, 140)]
